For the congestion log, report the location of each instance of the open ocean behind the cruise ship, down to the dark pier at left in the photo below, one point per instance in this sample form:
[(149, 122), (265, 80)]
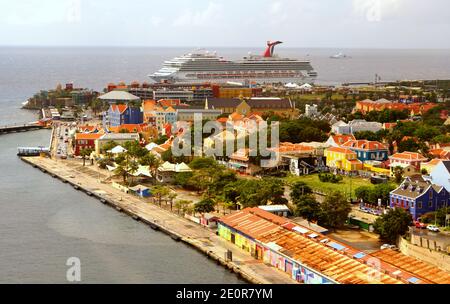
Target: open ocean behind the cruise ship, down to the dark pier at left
[(24, 71)]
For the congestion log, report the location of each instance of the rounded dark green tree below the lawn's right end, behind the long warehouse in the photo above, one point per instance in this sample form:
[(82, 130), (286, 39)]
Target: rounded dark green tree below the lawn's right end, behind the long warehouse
[(335, 210)]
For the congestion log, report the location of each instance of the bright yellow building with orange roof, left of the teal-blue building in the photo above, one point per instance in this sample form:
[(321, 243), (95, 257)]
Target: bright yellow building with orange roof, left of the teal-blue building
[(343, 159)]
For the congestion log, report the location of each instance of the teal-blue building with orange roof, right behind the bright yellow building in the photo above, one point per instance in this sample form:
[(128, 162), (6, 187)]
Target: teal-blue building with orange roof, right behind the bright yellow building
[(368, 150)]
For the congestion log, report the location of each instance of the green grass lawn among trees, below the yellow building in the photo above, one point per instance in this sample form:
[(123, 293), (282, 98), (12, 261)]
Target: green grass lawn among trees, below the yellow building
[(345, 186)]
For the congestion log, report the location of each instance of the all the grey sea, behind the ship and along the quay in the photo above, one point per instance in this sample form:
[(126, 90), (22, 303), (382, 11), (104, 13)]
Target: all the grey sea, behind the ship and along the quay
[(44, 222)]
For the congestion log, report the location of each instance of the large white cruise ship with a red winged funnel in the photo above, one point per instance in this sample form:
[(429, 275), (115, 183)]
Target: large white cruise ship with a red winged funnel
[(207, 67)]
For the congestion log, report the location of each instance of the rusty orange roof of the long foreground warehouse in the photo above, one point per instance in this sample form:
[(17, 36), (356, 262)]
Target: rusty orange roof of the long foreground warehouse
[(347, 265)]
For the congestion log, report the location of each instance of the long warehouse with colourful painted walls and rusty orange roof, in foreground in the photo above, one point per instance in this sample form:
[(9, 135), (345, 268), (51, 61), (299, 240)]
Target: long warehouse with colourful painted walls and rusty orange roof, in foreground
[(306, 256)]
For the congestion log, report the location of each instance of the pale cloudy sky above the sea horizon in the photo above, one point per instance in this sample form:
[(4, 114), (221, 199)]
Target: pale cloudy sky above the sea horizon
[(221, 23)]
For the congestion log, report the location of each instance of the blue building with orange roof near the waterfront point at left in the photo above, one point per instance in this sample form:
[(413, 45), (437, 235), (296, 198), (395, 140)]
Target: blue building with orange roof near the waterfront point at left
[(122, 114)]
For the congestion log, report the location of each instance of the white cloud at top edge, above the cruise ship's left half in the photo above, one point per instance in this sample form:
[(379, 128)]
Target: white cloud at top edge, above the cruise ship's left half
[(208, 16)]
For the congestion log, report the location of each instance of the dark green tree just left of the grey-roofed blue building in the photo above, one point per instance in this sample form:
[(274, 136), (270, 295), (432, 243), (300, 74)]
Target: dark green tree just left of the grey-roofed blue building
[(392, 225)]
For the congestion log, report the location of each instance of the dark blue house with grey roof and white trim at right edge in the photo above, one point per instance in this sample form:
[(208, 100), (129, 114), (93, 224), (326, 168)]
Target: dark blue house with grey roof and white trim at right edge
[(419, 196)]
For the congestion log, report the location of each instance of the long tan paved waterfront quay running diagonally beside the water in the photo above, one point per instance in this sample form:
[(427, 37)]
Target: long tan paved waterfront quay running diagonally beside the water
[(203, 239)]
